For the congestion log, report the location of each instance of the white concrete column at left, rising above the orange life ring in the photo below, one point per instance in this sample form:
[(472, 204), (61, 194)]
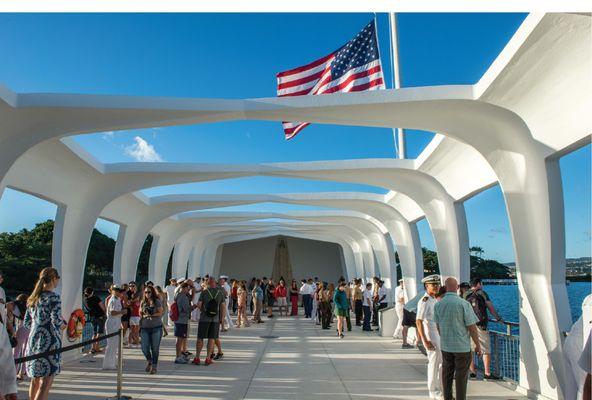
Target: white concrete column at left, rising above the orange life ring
[(72, 231)]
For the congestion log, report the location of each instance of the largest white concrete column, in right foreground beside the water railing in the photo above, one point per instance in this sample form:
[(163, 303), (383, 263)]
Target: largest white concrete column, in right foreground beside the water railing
[(533, 193)]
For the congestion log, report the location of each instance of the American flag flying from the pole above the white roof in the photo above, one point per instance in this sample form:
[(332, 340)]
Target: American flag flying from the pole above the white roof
[(354, 67)]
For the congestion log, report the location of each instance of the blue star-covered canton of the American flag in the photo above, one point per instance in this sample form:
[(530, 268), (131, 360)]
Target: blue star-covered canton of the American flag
[(359, 51)]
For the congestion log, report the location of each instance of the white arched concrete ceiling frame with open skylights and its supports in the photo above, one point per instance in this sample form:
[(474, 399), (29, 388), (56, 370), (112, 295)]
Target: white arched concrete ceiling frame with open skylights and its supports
[(531, 107)]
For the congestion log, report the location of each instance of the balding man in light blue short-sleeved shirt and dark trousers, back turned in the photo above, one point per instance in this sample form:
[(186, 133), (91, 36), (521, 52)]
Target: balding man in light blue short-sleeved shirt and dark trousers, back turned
[(456, 321)]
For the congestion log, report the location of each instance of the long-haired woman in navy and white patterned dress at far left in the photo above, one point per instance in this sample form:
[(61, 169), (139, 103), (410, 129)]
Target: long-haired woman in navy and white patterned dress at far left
[(44, 320)]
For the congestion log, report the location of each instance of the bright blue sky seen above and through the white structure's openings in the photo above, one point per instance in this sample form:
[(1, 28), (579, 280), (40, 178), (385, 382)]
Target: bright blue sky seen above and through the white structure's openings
[(237, 56)]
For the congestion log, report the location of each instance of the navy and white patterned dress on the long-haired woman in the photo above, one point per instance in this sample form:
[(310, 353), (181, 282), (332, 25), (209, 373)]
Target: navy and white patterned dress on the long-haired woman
[(44, 321)]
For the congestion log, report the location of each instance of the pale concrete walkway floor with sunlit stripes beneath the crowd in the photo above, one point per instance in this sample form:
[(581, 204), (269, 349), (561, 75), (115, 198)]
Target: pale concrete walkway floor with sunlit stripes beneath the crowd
[(304, 362)]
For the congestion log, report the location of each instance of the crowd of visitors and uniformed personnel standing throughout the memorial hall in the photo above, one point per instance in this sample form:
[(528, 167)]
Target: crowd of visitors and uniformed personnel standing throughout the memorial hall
[(450, 321)]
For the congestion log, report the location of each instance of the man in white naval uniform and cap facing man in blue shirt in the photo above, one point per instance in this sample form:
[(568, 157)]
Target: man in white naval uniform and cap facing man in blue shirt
[(428, 332)]
